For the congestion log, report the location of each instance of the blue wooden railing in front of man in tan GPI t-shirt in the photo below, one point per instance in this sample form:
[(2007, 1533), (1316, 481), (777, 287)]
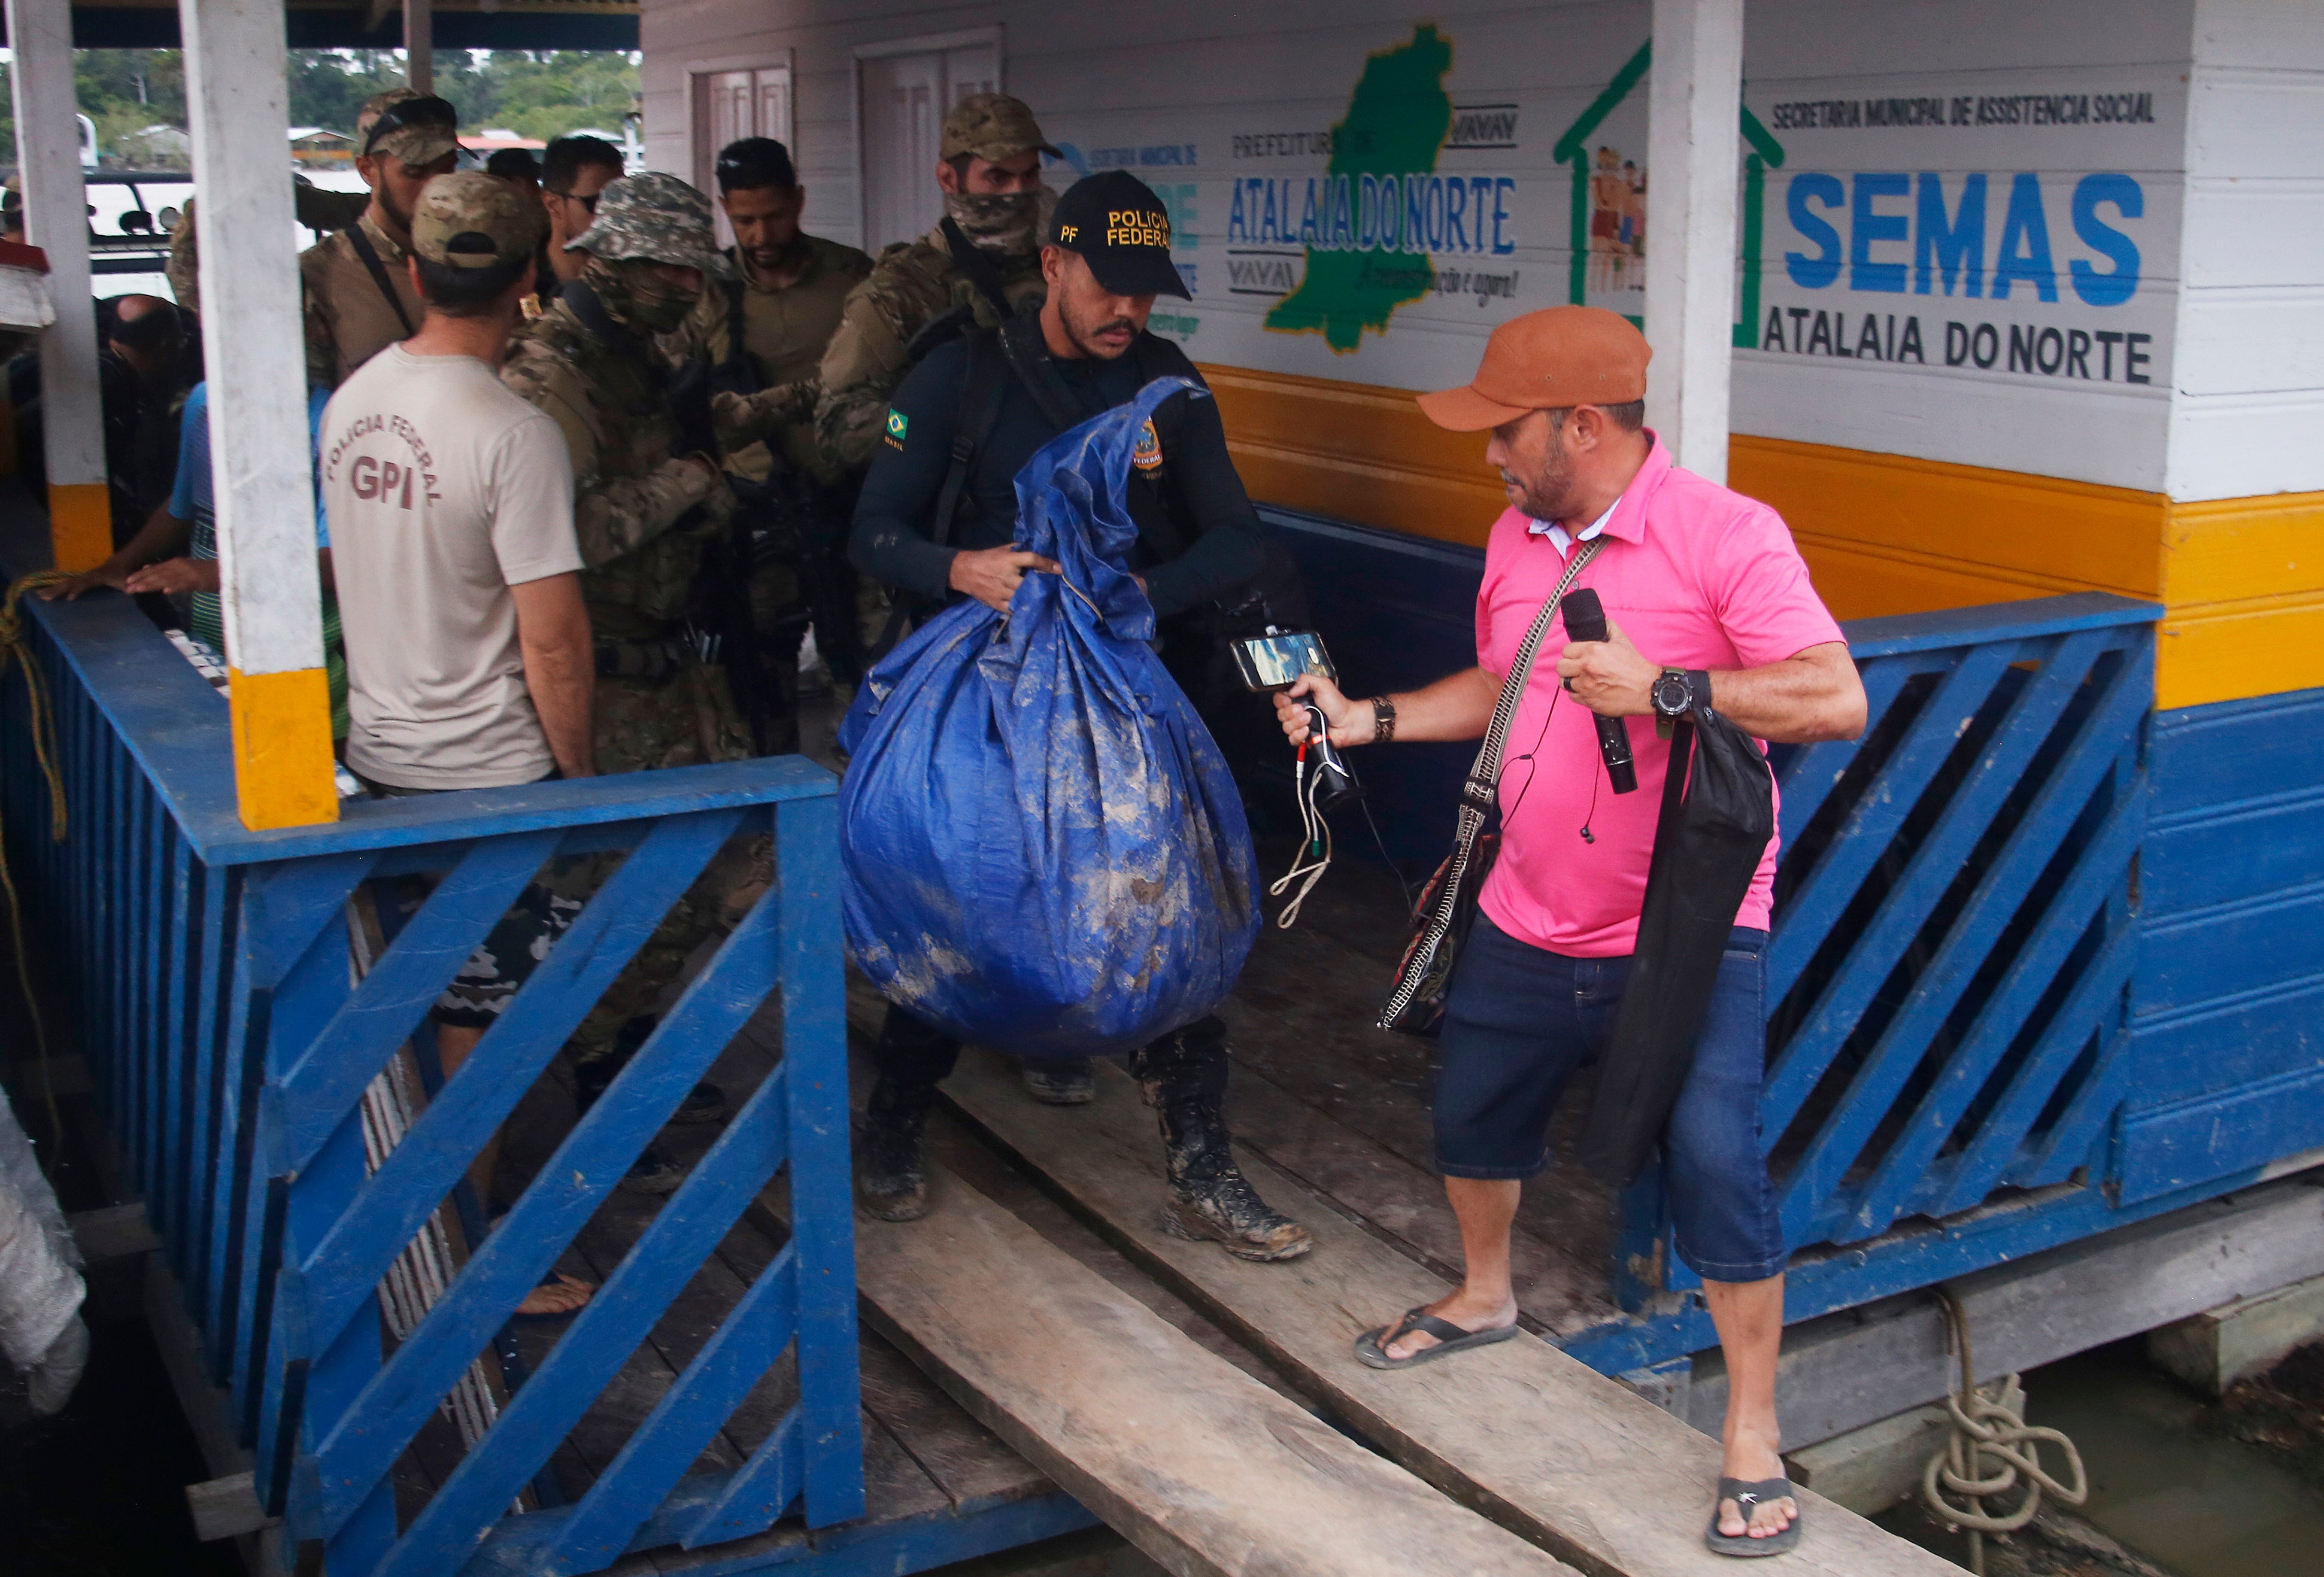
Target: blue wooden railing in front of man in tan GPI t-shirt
[(210, 981)]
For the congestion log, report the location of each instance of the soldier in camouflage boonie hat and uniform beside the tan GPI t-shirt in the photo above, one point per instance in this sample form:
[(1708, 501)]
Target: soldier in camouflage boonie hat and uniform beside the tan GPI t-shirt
[(647, 503)]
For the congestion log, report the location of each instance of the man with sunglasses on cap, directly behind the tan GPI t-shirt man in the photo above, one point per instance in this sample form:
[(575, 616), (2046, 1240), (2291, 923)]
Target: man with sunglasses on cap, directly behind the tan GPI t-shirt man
[(357, 282)]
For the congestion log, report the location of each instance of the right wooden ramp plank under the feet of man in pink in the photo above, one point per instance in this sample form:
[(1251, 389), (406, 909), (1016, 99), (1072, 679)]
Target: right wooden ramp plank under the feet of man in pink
[(1528, 1436)]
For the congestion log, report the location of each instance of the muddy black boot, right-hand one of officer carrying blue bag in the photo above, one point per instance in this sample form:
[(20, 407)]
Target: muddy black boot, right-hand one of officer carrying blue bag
[(1184, 1079)]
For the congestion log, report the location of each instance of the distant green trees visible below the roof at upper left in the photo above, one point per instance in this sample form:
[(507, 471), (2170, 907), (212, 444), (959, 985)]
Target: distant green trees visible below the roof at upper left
[(531, 92)]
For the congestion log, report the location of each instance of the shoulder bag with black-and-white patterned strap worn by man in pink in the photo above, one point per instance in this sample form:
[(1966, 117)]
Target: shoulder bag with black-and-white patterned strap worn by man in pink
[(1447, 909)]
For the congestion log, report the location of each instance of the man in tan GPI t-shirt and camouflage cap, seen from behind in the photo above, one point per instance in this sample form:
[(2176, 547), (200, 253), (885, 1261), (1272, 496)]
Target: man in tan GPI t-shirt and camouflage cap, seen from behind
[(459, 575)]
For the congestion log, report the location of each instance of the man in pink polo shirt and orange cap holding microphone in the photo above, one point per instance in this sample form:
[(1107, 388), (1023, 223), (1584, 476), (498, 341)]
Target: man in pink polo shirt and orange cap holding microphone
[(1707, 603)]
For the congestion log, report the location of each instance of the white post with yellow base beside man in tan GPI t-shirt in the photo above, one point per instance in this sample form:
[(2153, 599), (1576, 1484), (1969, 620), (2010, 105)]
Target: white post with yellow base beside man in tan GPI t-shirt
[(259, 459)]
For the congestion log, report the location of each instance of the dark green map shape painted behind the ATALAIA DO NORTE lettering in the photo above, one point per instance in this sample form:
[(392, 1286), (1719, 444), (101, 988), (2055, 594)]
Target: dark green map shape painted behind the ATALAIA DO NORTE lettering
[(1398, 122)]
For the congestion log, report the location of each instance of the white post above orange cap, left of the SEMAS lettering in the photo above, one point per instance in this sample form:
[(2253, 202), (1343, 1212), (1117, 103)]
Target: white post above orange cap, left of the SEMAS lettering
[(1695, 108)]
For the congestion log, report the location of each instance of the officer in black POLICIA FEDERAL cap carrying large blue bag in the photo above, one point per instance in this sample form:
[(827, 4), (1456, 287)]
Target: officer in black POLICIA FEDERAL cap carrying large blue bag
[(938, 521)]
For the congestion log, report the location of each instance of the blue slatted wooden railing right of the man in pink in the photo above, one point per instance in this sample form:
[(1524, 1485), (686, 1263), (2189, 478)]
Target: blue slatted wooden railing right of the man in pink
[(1951, 960)]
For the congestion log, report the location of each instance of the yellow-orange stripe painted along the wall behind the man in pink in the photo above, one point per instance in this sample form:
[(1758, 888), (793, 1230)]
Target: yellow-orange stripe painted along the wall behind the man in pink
[(2244, 579)]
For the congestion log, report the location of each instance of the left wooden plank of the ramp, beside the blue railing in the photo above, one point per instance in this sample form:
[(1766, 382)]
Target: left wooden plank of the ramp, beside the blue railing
[(1198, 1464)]
